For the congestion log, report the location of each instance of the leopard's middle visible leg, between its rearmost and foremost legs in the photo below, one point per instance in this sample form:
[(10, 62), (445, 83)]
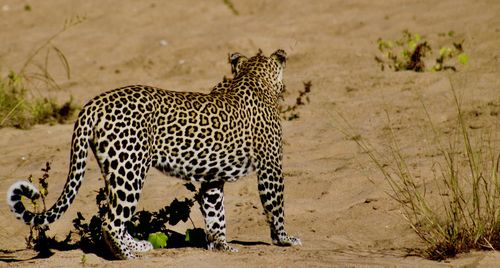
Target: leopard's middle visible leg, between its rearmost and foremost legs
[(212, 207)]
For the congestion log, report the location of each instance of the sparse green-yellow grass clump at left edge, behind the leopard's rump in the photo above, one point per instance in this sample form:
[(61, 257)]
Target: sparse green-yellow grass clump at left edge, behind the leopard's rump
[(21, 105)]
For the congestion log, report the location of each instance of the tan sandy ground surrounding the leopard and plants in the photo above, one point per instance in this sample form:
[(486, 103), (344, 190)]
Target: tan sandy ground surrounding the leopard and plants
[(343, 217)]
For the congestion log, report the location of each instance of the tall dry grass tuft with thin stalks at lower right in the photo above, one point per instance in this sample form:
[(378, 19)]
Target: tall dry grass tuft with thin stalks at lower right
[(464, 212)]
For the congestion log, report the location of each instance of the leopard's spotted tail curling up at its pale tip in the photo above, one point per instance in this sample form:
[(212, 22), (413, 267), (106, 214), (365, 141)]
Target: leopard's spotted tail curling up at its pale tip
[(79, 151)]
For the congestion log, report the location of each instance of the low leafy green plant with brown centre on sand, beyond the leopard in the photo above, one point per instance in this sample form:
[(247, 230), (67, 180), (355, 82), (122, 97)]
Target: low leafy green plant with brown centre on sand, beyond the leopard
[(409, 53)]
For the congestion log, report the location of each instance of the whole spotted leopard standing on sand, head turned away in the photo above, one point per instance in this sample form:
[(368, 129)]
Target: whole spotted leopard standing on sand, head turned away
[(208, 138)]
